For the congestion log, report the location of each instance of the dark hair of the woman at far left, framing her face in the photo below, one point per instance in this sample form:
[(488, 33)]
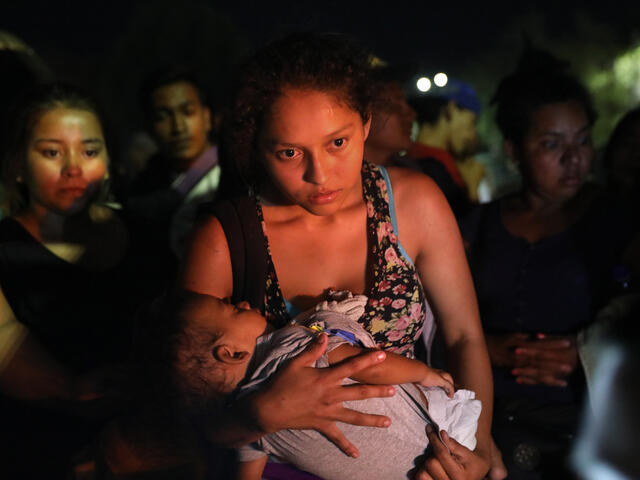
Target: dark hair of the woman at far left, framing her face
[(23, 118)]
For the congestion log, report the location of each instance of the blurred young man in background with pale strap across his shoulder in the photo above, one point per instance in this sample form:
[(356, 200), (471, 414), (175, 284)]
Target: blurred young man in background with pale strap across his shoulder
[(184, 172)]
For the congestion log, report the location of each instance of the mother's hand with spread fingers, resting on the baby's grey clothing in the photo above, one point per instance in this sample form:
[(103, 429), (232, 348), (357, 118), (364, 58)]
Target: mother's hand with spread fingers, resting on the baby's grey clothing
[(304, 397)]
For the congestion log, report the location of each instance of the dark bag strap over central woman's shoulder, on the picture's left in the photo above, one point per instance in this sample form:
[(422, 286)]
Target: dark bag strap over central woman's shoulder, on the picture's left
[(245, 238)]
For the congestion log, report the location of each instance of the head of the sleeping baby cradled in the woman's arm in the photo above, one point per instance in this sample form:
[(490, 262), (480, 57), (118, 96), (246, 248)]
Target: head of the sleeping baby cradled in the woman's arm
[(193, 349)]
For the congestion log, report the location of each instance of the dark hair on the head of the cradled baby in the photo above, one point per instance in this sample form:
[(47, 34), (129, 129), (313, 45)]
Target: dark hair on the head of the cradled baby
[(173, 355)]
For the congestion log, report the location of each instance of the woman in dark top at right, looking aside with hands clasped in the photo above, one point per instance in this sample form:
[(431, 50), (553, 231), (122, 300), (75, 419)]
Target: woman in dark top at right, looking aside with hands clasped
[(541, 260)]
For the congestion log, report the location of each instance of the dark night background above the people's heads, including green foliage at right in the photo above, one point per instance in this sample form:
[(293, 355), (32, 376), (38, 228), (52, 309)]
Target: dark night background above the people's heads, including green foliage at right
[(109, 46)]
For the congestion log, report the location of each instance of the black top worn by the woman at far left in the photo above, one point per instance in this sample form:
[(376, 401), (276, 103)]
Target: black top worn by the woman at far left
[(80, 317)]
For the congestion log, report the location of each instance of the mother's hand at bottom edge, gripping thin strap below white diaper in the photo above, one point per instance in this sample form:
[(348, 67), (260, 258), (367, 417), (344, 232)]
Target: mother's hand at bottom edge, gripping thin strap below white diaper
[(450, 460)]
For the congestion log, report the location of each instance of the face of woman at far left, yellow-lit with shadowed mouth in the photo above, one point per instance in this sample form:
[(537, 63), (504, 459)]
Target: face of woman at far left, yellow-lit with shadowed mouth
[(66, 160)]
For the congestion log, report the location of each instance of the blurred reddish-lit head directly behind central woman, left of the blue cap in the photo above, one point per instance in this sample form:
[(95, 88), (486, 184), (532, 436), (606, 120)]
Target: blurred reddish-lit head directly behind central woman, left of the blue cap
[(392, 118)]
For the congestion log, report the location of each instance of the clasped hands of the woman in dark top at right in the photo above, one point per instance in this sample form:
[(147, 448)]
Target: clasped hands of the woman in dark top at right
[(547, 360)]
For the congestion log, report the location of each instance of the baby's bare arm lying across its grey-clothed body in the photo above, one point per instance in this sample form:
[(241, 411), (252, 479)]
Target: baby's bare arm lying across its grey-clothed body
[(395, 370)]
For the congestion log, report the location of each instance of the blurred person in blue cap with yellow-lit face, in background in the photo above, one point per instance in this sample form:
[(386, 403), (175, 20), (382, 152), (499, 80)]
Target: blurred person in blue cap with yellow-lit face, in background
[(447, 134)]
